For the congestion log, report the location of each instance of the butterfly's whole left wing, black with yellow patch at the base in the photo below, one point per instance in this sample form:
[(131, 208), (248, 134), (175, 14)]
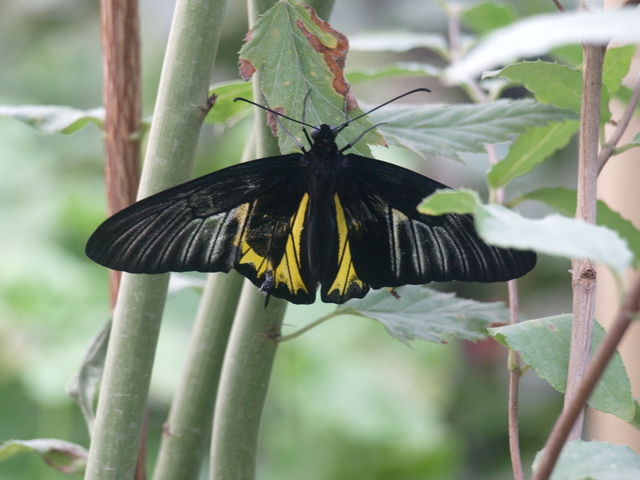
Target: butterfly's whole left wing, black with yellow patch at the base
[(248, 217)]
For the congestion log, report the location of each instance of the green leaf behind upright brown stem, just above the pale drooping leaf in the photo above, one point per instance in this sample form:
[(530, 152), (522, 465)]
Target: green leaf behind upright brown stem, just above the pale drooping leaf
[(564, 201)]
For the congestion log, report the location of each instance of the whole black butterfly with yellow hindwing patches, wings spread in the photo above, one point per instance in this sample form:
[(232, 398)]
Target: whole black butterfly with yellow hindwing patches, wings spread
[(291, 223)]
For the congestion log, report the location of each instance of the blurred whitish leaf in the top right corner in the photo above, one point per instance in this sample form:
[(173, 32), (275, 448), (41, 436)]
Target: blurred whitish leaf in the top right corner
[(535, 36)]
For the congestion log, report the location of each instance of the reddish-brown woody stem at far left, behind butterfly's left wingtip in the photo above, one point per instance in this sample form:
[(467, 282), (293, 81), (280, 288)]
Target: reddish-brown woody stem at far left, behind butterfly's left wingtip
[(121, 98)]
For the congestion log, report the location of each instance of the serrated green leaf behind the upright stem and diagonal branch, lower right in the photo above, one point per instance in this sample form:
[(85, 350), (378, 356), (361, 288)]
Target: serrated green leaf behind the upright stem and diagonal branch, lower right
[(544, 345)]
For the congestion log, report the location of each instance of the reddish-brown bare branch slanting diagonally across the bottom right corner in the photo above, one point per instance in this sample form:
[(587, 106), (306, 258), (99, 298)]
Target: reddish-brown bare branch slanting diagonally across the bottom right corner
[(629, 308)]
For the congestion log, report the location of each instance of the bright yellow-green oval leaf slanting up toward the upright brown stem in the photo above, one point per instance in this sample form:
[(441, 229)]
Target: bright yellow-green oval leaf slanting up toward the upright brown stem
[(531, 149)]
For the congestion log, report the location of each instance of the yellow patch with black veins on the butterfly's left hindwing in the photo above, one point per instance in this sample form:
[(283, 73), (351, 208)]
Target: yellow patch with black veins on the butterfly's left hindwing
[(288, 270)]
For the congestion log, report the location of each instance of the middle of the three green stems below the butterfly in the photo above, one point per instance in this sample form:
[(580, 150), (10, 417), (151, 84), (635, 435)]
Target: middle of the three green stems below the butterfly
[(186, 435)]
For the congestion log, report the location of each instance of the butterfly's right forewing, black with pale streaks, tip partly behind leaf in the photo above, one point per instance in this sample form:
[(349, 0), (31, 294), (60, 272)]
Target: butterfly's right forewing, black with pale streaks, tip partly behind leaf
[(392, 244)]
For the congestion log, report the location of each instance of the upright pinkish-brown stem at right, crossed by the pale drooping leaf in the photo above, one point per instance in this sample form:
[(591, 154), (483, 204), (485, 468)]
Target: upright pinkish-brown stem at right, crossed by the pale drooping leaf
[(583, 272)]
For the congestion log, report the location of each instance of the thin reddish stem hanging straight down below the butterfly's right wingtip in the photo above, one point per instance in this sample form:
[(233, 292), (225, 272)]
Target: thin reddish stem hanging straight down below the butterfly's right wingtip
[(514, 382)]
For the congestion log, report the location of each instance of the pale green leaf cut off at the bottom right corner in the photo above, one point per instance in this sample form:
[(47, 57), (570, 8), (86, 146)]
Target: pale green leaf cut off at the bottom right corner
[(581, 460)]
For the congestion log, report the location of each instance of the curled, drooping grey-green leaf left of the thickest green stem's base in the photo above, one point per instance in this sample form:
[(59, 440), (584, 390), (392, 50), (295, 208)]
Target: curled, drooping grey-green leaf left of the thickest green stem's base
[(83, 386)]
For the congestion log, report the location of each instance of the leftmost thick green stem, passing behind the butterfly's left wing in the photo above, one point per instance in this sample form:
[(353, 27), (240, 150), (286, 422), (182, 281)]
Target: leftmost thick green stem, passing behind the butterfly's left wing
[(172, 142)]
